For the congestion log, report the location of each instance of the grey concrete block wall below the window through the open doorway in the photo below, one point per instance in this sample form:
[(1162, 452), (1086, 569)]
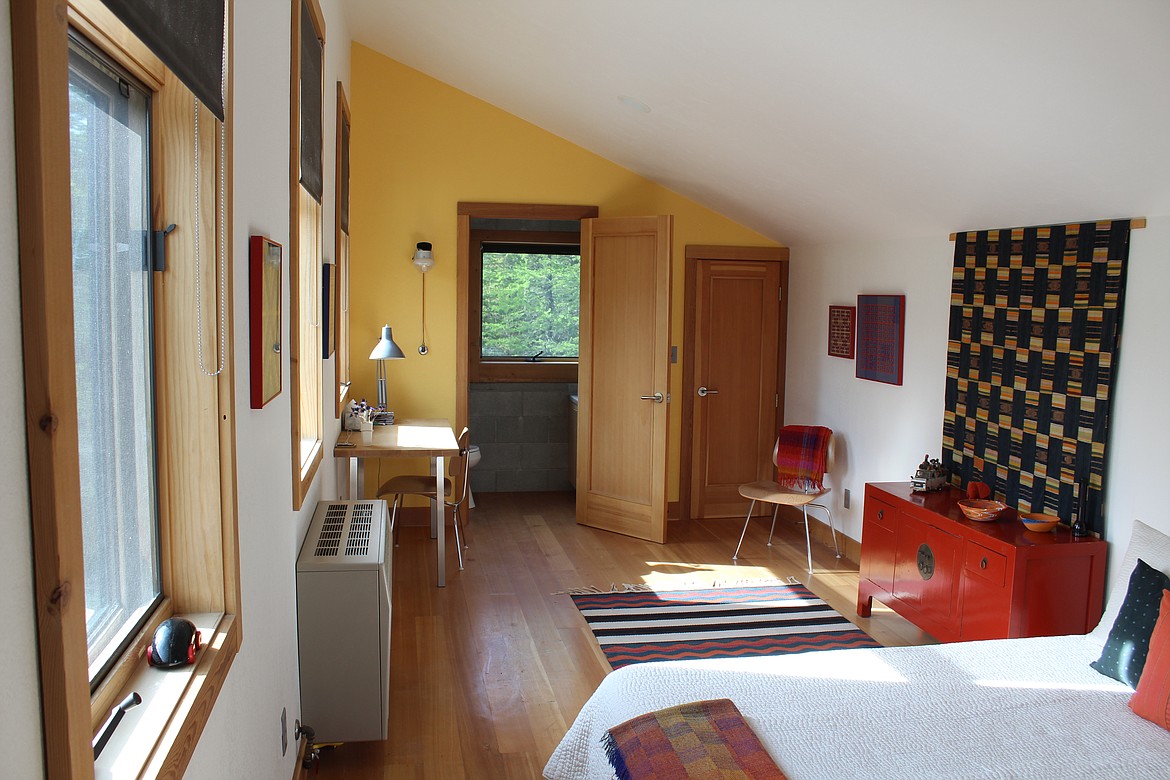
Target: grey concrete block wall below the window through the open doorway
[(522, 431)]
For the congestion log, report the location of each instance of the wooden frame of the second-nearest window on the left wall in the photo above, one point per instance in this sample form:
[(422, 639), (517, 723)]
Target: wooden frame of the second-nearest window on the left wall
[(305, 285)]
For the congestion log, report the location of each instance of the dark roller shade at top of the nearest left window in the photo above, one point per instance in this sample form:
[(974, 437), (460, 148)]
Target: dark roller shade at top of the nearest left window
[(188, 37)]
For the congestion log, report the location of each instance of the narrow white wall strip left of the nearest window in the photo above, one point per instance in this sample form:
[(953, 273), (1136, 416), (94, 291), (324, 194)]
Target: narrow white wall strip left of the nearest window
[(20, 706)]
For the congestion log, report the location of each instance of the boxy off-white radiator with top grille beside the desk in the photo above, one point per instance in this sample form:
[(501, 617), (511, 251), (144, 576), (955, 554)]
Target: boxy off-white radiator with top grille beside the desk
[(343, 590)]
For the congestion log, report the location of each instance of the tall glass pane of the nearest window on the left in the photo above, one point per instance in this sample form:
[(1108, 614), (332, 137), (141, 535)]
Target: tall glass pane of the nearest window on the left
[(109, 167)]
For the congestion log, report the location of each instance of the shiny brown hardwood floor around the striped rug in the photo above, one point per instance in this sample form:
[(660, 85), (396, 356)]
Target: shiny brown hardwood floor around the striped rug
[(488, 673)]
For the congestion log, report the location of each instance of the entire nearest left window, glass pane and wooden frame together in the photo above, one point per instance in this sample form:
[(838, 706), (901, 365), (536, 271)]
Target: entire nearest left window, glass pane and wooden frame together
[(132, 436)]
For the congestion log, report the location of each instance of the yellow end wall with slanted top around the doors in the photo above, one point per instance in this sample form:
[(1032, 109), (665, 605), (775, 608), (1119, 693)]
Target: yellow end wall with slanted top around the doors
[(419, 147)]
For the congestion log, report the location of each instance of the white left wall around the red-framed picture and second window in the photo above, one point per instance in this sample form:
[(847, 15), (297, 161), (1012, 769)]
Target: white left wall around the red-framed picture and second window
[(244, 731)]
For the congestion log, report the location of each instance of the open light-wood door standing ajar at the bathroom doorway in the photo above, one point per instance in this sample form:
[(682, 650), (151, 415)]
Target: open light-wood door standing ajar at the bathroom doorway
[(624, 375)]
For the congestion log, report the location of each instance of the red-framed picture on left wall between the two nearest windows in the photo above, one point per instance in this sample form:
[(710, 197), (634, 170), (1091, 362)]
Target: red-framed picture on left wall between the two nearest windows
[(265, 315)]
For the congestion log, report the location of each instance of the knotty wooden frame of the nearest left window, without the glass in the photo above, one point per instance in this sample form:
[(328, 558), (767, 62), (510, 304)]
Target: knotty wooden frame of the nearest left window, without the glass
[(198, 536)]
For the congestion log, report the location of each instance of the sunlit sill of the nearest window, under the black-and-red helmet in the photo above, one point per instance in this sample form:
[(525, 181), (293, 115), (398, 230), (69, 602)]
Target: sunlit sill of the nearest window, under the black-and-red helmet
[(160, 736)]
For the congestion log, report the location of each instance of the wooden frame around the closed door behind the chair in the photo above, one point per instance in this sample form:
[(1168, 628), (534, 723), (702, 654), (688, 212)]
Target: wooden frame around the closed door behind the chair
[(694, 256)]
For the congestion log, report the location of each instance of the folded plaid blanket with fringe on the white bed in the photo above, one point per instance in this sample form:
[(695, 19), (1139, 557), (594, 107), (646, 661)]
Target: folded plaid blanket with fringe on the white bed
[(701, 741)]
